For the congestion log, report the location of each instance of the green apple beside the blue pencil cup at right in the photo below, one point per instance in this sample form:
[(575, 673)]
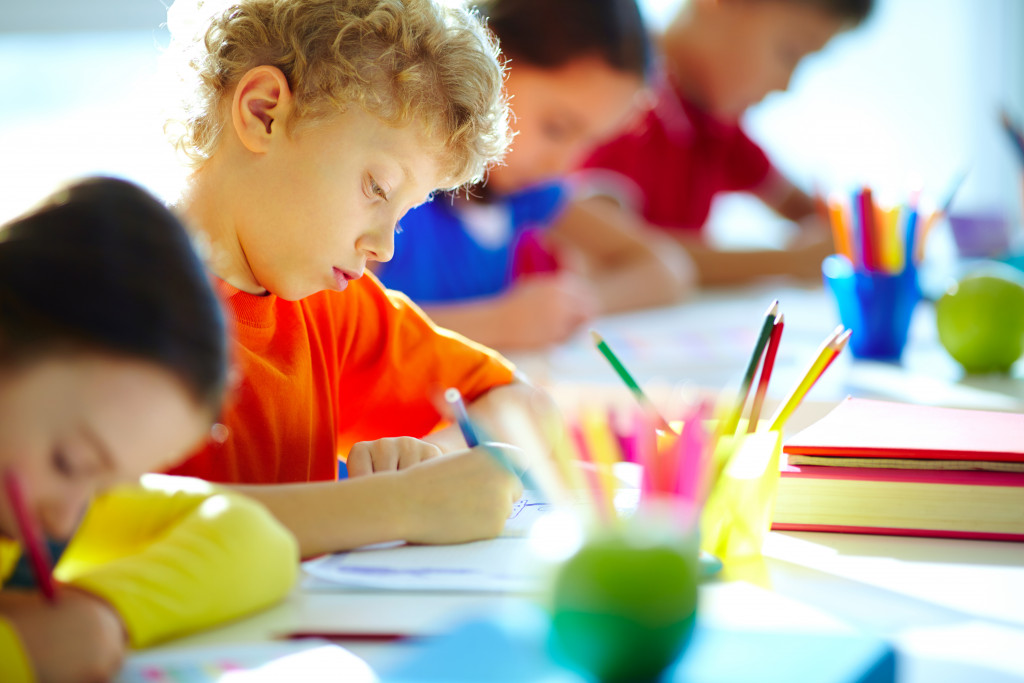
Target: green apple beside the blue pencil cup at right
[(980, 319)]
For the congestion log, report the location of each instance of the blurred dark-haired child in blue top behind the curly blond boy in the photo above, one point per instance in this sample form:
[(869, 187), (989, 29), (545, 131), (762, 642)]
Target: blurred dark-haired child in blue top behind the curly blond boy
[(521, 262)]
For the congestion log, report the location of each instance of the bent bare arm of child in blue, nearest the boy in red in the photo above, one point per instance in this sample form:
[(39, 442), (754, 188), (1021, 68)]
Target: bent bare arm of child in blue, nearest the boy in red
[(629, 265)]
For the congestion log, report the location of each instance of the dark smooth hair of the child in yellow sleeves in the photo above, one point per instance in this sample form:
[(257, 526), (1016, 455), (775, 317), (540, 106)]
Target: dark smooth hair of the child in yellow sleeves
[(103, 267)]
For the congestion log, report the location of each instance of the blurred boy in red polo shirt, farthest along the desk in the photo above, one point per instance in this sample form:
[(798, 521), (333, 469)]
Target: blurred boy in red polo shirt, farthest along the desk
[(722, 57)]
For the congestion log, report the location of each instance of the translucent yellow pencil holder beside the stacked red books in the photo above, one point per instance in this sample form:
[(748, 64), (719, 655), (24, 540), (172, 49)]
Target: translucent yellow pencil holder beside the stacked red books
[(738, 514)]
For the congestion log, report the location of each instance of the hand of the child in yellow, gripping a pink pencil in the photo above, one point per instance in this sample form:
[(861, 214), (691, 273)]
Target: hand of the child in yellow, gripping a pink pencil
[(79, 638)]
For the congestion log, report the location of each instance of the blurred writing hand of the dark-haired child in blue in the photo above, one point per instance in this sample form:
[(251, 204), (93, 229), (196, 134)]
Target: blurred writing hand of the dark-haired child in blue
[(547, 309)]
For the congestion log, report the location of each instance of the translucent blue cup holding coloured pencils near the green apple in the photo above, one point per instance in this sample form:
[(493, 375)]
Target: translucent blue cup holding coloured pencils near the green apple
[(877, 307)]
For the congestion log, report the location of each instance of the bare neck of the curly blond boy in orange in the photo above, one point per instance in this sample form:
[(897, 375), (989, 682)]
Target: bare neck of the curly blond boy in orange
[(206, 205)]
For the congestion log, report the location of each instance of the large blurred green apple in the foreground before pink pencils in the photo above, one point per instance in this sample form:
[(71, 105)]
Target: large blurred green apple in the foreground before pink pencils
[(624, 607)]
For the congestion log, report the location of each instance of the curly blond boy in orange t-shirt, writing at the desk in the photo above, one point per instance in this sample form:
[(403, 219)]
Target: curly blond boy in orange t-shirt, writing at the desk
[(313, 127)]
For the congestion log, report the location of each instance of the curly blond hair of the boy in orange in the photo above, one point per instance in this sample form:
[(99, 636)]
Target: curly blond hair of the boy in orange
[(402, 61)]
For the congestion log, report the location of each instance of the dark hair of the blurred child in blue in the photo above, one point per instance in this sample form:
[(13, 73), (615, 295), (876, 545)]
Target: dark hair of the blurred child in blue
[(551, 33)]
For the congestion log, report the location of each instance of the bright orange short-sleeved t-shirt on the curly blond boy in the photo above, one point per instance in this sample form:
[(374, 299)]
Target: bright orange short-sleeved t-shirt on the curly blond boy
[(330, 370)]
